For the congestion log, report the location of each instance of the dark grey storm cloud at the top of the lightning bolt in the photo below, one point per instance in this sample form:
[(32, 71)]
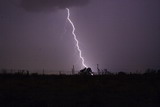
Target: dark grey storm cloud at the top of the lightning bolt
[(47, 5)]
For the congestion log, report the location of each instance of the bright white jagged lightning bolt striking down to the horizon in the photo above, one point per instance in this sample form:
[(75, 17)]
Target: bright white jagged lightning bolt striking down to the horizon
[(75, 38)]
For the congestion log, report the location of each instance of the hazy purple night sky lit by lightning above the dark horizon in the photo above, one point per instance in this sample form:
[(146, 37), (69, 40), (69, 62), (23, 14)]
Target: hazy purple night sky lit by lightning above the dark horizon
[(119, 35)]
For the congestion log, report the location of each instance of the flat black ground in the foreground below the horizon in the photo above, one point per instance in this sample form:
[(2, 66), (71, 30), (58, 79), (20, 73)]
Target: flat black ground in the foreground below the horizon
[(80, 91)]
